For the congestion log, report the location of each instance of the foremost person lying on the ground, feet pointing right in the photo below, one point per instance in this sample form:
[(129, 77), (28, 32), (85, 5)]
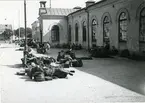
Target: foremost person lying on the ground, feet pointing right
[(37, 71)]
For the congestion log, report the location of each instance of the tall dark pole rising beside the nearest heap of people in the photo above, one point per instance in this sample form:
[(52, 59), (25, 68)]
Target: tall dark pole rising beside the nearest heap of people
[(25, 22)]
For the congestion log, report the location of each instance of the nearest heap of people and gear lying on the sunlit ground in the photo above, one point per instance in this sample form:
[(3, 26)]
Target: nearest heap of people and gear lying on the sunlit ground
[(44, 68)]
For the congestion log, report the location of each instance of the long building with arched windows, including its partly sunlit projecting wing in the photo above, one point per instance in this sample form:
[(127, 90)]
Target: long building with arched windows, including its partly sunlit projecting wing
[(121, 23)]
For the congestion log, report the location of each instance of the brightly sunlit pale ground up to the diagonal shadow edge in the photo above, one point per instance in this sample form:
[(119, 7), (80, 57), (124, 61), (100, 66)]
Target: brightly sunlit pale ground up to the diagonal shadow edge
[(80, 88)]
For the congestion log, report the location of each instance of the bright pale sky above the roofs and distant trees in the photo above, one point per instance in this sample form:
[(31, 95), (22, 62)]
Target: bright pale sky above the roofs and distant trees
[(12, 11)]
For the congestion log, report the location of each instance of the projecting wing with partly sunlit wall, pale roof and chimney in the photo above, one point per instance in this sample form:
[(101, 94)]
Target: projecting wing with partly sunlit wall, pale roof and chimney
[(53, 24)]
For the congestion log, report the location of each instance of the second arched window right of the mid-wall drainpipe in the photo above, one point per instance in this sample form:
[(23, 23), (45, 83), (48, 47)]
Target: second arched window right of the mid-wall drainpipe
[(106, 31)]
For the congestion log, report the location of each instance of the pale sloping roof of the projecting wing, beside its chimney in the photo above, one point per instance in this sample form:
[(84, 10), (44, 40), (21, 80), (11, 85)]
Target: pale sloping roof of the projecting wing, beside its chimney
[(59, 11)]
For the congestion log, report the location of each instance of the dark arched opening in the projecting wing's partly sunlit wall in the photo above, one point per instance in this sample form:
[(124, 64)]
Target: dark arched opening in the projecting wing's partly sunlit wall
[(55, 33)]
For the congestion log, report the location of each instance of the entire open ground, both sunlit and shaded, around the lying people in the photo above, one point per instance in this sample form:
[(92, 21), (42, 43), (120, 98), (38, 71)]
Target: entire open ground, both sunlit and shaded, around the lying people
[(98, 81)]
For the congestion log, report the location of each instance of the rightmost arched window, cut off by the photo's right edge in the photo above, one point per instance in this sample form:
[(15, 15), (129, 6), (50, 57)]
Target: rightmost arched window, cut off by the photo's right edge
[(142, 26)]
